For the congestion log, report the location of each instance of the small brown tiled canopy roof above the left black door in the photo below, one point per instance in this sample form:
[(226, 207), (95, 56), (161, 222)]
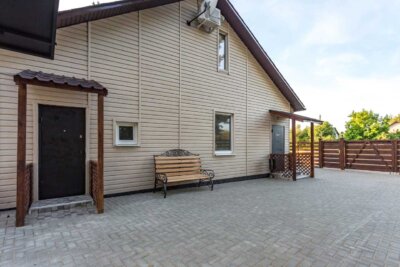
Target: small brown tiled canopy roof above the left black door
[(59, 81)]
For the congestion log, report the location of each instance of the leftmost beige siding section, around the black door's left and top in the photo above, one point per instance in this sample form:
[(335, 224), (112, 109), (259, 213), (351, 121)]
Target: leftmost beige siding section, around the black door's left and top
[(70, 59)]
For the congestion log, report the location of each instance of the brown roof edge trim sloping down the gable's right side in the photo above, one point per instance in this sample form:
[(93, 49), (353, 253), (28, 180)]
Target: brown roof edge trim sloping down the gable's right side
[(259, 53)]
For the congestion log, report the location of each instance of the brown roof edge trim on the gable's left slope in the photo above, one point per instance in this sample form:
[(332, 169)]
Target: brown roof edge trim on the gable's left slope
[(102, 11)]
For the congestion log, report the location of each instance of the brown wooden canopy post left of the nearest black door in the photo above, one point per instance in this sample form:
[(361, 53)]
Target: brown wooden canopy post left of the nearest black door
[(21, 156)]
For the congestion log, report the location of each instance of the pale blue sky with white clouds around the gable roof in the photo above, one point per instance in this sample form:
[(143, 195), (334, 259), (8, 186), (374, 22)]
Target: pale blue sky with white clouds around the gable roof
[(338, 55)]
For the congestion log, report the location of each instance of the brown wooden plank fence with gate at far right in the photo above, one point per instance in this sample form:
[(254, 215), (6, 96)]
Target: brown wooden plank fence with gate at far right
[(360, 155)]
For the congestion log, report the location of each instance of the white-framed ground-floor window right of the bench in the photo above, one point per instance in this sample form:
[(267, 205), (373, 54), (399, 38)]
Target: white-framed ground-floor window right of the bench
[(223, 133)]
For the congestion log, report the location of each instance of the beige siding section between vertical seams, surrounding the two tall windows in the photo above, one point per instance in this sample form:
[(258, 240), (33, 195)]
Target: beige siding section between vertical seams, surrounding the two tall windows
[(205, 90)]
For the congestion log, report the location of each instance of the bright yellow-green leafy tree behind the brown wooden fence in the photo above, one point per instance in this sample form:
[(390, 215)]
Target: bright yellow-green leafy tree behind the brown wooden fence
[(367, 125)]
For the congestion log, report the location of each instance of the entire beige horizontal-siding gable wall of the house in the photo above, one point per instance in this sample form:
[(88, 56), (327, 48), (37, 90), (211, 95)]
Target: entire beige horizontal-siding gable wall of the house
[(159, 72)]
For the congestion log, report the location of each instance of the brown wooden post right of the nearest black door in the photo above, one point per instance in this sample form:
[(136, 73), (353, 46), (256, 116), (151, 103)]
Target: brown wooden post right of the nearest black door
[(100, 154)]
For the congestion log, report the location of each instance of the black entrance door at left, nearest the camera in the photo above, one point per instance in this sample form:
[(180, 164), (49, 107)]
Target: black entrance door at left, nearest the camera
[(61, 151)]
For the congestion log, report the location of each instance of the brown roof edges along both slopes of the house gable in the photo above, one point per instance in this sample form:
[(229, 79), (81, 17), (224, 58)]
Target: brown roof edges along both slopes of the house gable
[(91, 13)]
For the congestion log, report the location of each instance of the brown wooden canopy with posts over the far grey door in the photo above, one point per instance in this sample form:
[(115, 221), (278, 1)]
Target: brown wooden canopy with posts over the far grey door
[(294, 118)]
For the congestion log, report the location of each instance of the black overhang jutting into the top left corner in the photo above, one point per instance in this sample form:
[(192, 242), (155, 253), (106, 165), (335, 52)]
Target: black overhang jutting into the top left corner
[(29, 26)]
